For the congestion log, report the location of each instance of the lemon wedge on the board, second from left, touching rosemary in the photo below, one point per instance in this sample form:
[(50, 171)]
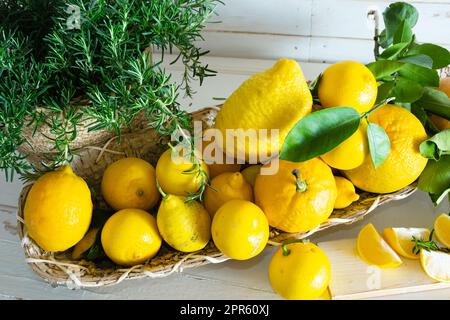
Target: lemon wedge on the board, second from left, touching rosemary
[(400, 239)]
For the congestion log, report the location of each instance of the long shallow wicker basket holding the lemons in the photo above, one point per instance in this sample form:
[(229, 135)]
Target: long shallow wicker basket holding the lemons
[(59, 269)]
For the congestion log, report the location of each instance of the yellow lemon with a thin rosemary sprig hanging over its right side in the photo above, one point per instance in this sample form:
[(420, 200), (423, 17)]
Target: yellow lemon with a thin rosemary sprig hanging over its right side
[(178, 175)]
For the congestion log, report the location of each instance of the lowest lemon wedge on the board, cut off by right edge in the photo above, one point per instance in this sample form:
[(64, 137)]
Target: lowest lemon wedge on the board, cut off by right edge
[(436, 264)]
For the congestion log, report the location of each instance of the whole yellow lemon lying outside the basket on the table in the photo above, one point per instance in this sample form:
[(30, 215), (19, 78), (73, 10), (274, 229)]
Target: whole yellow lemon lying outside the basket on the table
[(300, 272)]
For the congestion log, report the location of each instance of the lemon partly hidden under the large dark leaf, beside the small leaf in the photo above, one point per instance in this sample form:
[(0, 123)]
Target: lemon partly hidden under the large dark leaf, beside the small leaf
[(351, 153)]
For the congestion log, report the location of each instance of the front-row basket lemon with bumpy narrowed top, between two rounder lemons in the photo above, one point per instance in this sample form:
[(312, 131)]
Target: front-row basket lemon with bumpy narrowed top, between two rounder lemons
[(185, 226)]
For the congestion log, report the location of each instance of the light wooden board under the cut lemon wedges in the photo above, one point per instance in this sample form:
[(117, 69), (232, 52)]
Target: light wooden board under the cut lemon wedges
[(352, 278)]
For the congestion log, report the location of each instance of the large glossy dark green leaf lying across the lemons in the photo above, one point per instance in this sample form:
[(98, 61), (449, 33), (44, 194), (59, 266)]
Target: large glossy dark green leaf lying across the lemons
[(319, 132)]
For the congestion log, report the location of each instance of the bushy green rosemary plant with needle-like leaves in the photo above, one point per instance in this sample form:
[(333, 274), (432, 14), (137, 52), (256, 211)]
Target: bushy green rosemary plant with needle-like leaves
[(49, 69)]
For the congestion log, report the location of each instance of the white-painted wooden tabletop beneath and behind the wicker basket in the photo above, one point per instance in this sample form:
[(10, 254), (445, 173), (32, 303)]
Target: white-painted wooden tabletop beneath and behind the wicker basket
[(229, 280)]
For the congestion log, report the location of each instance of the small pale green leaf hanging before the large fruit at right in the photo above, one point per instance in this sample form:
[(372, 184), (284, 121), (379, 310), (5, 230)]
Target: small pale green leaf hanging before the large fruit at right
[(379, 144)]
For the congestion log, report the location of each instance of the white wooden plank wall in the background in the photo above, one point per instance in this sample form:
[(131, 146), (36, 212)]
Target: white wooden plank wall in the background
[(312, 30)]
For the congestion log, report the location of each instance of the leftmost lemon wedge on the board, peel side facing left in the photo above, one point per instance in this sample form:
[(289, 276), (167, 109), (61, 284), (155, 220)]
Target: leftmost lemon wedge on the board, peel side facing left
[(374, 250)]
